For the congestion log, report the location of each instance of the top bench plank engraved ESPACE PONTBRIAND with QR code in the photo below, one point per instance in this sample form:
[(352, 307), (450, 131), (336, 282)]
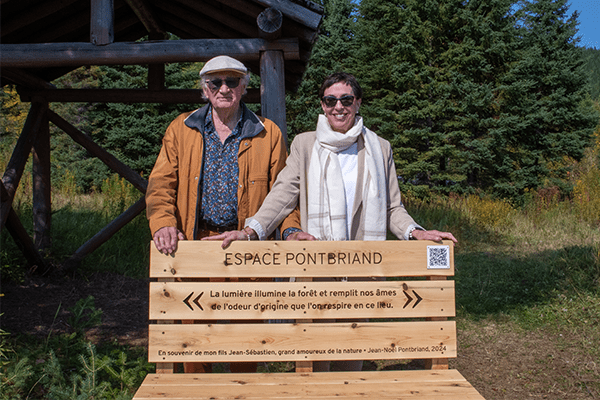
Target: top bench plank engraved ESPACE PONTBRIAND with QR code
[(204, 259)]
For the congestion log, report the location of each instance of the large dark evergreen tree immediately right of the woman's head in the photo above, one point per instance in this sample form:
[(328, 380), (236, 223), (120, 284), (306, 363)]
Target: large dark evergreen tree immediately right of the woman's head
[(429, 68)]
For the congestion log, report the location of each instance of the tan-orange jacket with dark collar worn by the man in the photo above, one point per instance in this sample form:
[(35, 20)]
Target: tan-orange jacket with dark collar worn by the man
[(173, 186)]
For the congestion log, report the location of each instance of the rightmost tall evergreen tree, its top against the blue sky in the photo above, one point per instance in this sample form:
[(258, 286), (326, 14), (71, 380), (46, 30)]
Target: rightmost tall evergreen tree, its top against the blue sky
[(548, 120)]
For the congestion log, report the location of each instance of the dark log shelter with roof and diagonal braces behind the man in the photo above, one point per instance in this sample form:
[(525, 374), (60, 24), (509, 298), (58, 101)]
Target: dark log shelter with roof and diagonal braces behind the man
[(43, 40)]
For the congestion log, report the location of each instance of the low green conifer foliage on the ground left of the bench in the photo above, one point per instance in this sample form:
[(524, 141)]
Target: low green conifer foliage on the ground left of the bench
[(67, 366)]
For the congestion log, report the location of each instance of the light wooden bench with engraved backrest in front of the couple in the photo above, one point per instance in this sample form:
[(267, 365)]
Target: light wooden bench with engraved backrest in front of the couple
[(408, 319)]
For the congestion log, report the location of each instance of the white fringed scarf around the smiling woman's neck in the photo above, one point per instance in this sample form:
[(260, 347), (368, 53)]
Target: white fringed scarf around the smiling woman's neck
[(326, 195)]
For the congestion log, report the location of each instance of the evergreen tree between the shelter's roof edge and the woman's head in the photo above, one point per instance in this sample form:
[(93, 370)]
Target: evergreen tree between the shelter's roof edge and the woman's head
[(331, 53)]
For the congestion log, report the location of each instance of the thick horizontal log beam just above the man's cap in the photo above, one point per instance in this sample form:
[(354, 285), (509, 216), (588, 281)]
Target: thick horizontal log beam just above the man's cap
[(47, 55)]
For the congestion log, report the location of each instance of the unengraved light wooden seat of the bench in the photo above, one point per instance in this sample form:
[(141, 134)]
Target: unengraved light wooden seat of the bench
[(424, 385)]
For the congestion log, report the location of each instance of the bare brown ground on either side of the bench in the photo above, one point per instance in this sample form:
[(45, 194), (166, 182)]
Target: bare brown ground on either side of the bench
[(499, 359)]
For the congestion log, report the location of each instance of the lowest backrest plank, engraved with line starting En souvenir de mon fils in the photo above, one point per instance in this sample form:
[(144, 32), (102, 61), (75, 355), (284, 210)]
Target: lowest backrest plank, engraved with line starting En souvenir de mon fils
[(301, 342)]
